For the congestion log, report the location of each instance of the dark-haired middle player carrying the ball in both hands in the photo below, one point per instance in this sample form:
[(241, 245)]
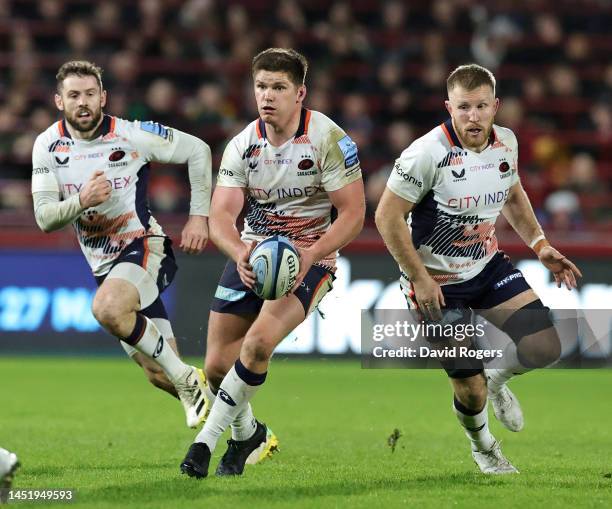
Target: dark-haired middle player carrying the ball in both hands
[(290, 167)]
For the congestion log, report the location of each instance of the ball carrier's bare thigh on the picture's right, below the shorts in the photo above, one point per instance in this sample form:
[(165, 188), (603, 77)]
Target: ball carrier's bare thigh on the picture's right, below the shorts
[(275, 321)]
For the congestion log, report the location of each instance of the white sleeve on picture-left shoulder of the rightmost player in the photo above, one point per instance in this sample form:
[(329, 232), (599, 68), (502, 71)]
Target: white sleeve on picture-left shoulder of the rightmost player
[(413, 174)]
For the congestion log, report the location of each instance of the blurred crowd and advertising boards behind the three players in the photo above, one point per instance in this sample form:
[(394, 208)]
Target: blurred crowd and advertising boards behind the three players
[(376, 68)]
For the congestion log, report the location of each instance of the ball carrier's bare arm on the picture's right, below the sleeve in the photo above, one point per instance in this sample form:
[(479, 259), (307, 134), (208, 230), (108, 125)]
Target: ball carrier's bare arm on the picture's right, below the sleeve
[(349, 201)]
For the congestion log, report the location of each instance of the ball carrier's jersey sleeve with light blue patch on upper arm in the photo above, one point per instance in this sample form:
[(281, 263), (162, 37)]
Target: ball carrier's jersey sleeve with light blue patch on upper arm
[(340, 162)]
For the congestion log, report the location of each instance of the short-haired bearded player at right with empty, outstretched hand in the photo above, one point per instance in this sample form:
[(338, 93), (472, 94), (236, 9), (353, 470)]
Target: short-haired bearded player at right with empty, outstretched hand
[(452, 183)]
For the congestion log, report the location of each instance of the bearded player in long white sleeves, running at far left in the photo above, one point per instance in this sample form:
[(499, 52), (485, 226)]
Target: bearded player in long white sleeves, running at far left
[(91, 170)]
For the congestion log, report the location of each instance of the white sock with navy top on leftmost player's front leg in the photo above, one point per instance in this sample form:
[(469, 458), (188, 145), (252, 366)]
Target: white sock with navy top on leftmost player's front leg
[(147, 339)]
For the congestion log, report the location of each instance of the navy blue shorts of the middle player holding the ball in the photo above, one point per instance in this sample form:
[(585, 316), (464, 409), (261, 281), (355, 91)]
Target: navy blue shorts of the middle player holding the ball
[(232, 296)]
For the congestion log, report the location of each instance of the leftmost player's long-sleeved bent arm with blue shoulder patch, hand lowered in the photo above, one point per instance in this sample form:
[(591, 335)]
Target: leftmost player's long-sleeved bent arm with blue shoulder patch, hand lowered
[(167, 145)]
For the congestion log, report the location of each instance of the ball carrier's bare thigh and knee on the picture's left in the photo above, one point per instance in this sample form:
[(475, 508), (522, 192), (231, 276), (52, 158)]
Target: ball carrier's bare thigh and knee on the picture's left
[(226, 332)]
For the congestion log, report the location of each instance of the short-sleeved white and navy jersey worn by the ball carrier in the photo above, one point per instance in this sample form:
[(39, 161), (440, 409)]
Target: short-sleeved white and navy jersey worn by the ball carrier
[(286, 187)]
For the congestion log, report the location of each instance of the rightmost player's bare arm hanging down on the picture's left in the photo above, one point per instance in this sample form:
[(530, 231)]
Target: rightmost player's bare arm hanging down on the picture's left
[(390, 218)]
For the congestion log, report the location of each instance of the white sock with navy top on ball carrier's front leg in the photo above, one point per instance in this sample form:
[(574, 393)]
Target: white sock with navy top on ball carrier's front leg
[(237, 389)]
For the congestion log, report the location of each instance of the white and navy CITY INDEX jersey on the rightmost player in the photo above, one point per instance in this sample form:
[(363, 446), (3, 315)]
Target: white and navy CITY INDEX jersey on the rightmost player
[(458, 195)]
